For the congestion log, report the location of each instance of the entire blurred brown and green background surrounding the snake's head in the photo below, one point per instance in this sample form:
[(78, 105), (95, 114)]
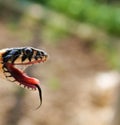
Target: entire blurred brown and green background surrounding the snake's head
[(80, 81)]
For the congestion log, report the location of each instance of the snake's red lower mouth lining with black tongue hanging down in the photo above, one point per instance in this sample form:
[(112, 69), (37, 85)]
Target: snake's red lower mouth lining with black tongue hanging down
[(23, 79)]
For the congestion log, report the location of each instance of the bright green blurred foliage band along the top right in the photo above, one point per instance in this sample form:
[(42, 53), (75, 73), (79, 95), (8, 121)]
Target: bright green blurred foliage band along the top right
[(90, 11)]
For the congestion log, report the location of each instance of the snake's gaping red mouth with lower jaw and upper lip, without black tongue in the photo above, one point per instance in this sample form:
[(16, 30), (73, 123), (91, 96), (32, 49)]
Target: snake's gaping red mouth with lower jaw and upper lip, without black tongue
[(15, 74)]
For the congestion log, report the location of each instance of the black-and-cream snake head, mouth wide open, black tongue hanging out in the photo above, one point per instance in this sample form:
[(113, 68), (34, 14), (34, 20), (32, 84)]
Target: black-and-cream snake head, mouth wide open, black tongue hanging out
[(23, 56)]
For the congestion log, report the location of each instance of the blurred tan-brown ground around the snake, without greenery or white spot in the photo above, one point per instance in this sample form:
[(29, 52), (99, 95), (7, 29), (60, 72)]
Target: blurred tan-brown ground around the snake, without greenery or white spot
[(67, 80)]
